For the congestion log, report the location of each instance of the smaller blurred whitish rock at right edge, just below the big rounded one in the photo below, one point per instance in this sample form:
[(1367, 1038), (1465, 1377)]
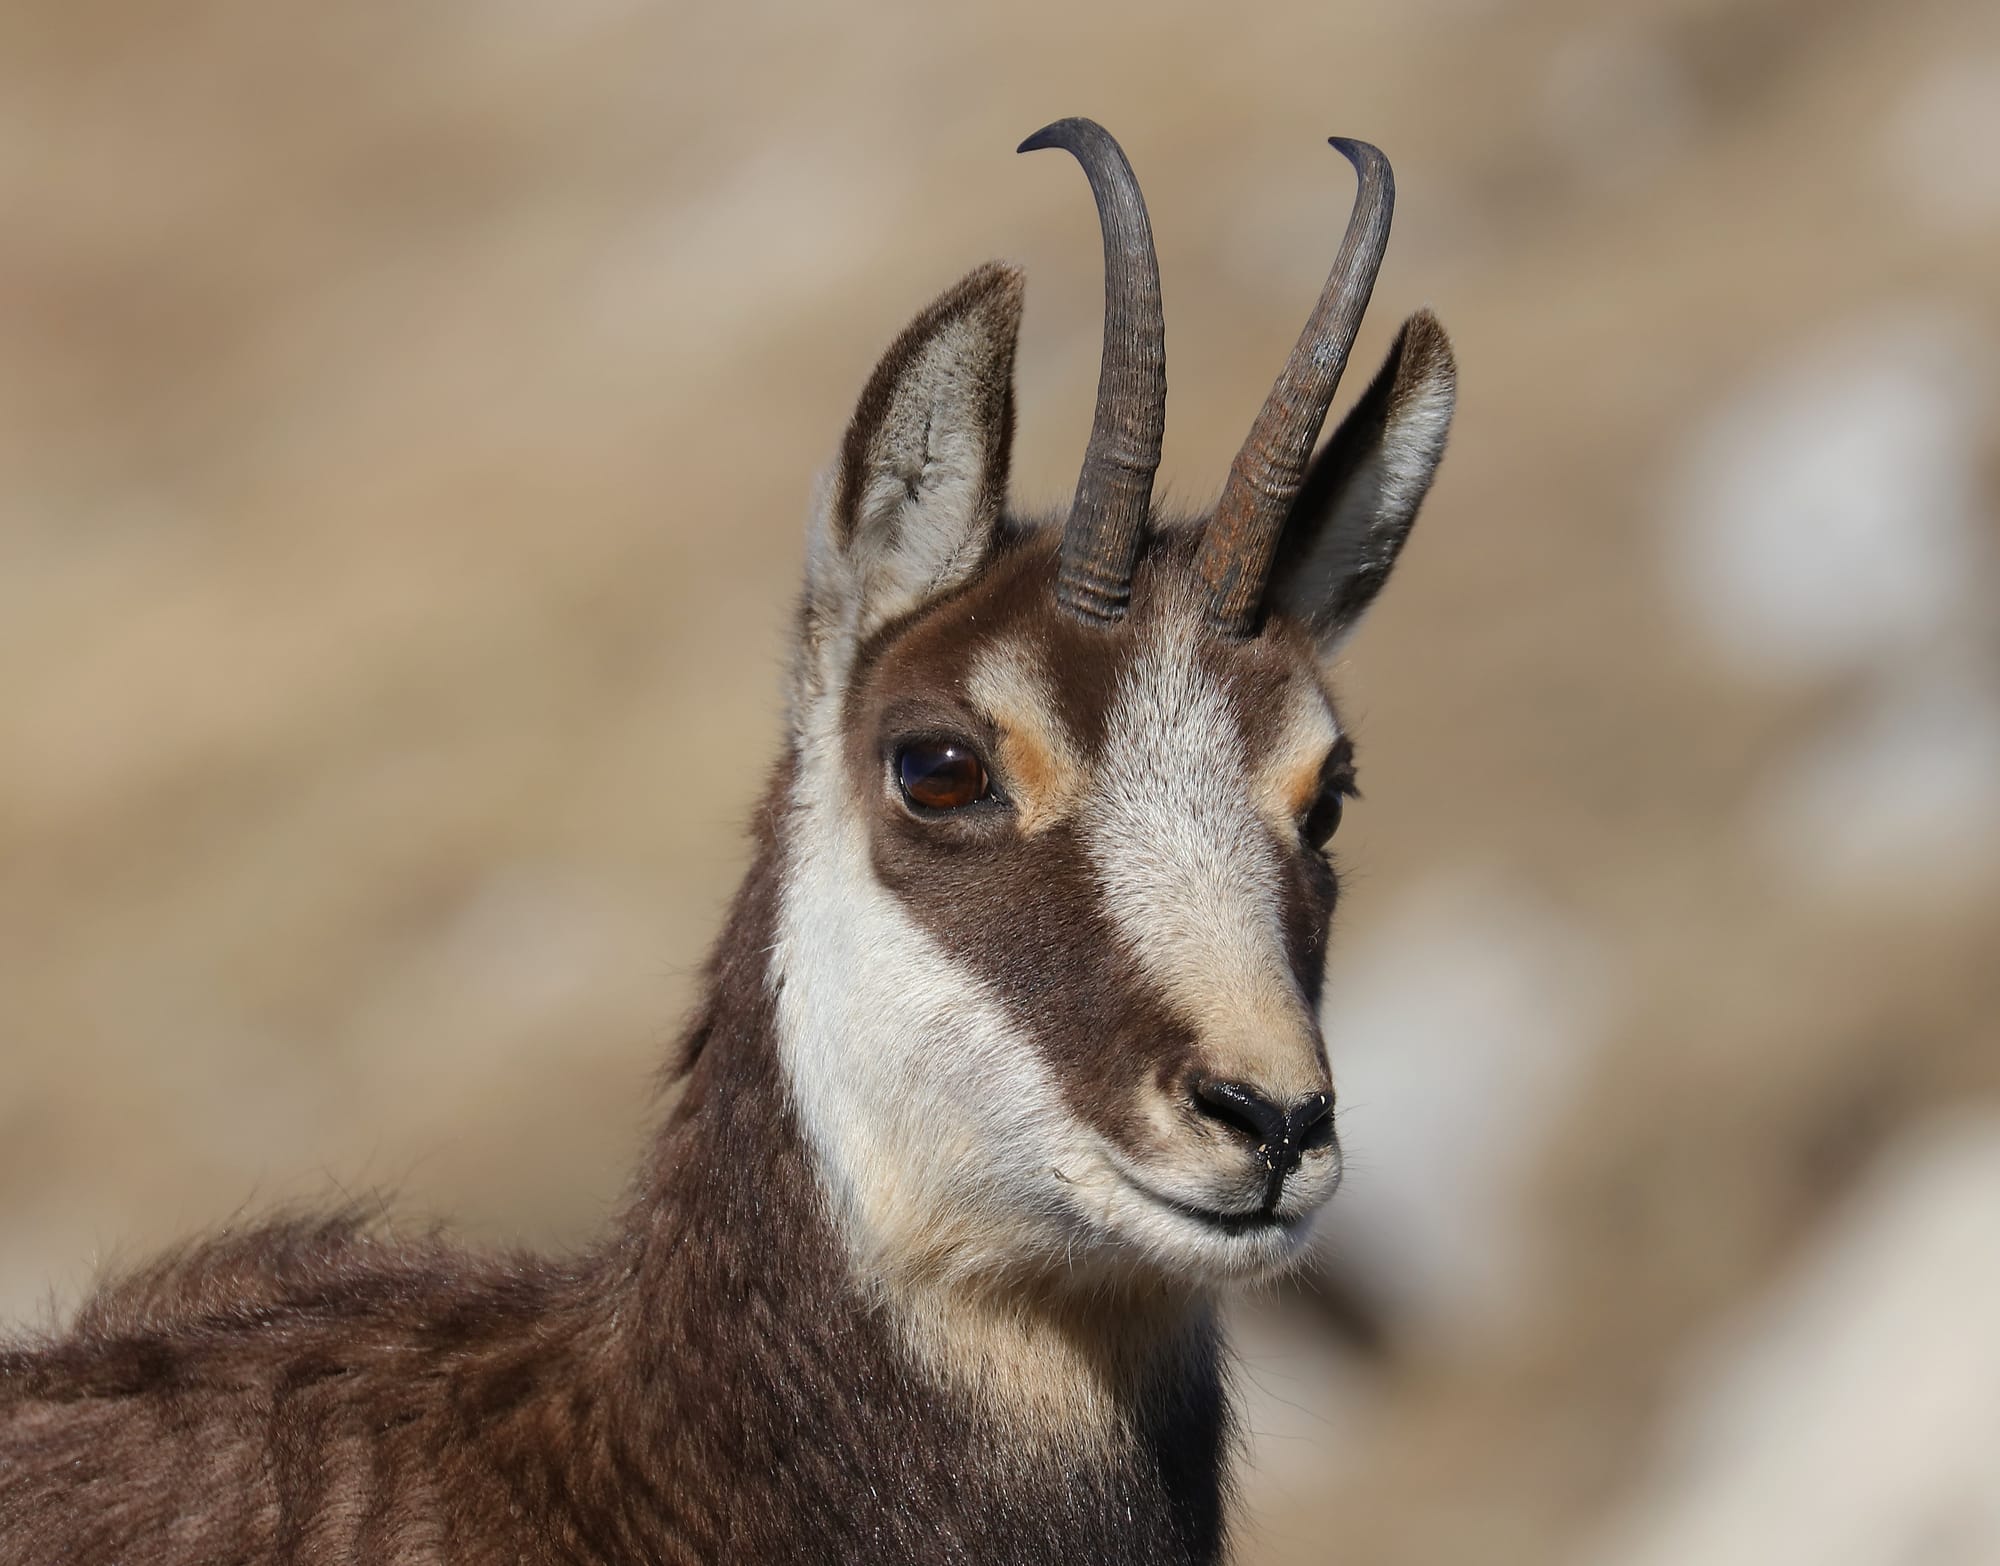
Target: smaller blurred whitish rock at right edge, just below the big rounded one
[(1897, 799)]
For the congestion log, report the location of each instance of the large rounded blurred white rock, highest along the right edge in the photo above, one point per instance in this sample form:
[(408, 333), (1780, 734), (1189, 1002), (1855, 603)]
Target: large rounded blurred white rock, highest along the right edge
[(1829, 513)]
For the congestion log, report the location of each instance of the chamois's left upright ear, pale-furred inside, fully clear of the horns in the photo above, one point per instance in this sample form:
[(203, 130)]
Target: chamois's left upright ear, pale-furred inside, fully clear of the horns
[(913, 503)]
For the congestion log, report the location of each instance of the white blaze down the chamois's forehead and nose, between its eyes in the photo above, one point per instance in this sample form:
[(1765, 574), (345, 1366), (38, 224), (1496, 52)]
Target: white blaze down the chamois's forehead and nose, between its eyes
[(1189, 875)]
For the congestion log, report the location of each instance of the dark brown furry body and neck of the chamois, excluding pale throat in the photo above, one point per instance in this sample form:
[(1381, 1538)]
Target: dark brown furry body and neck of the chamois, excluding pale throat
[(707, 1387)]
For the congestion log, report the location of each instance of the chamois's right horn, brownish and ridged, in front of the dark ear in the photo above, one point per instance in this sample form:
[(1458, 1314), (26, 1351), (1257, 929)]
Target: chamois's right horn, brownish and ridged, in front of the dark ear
[(1243, 537)]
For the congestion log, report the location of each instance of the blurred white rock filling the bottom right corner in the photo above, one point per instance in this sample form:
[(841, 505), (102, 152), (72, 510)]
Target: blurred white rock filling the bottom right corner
[(1853, 1417)]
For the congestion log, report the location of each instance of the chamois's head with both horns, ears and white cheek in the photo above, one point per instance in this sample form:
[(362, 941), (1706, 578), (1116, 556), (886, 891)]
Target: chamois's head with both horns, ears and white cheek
[(1057, 889)]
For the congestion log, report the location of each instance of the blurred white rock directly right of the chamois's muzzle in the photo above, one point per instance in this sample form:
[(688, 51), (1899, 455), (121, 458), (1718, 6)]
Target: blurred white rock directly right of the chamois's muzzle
[(1457, 1035)]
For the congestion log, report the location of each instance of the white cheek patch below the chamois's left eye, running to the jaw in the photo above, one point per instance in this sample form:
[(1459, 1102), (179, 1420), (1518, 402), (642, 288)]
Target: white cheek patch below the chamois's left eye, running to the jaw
[(933, 1119)]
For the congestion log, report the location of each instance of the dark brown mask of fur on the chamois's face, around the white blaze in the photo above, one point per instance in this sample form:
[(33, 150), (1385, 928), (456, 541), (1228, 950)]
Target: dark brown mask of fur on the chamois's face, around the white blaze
[(1027, 913)]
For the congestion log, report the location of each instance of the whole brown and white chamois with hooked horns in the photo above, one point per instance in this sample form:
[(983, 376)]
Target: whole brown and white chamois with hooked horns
[(1007, 1059)]
